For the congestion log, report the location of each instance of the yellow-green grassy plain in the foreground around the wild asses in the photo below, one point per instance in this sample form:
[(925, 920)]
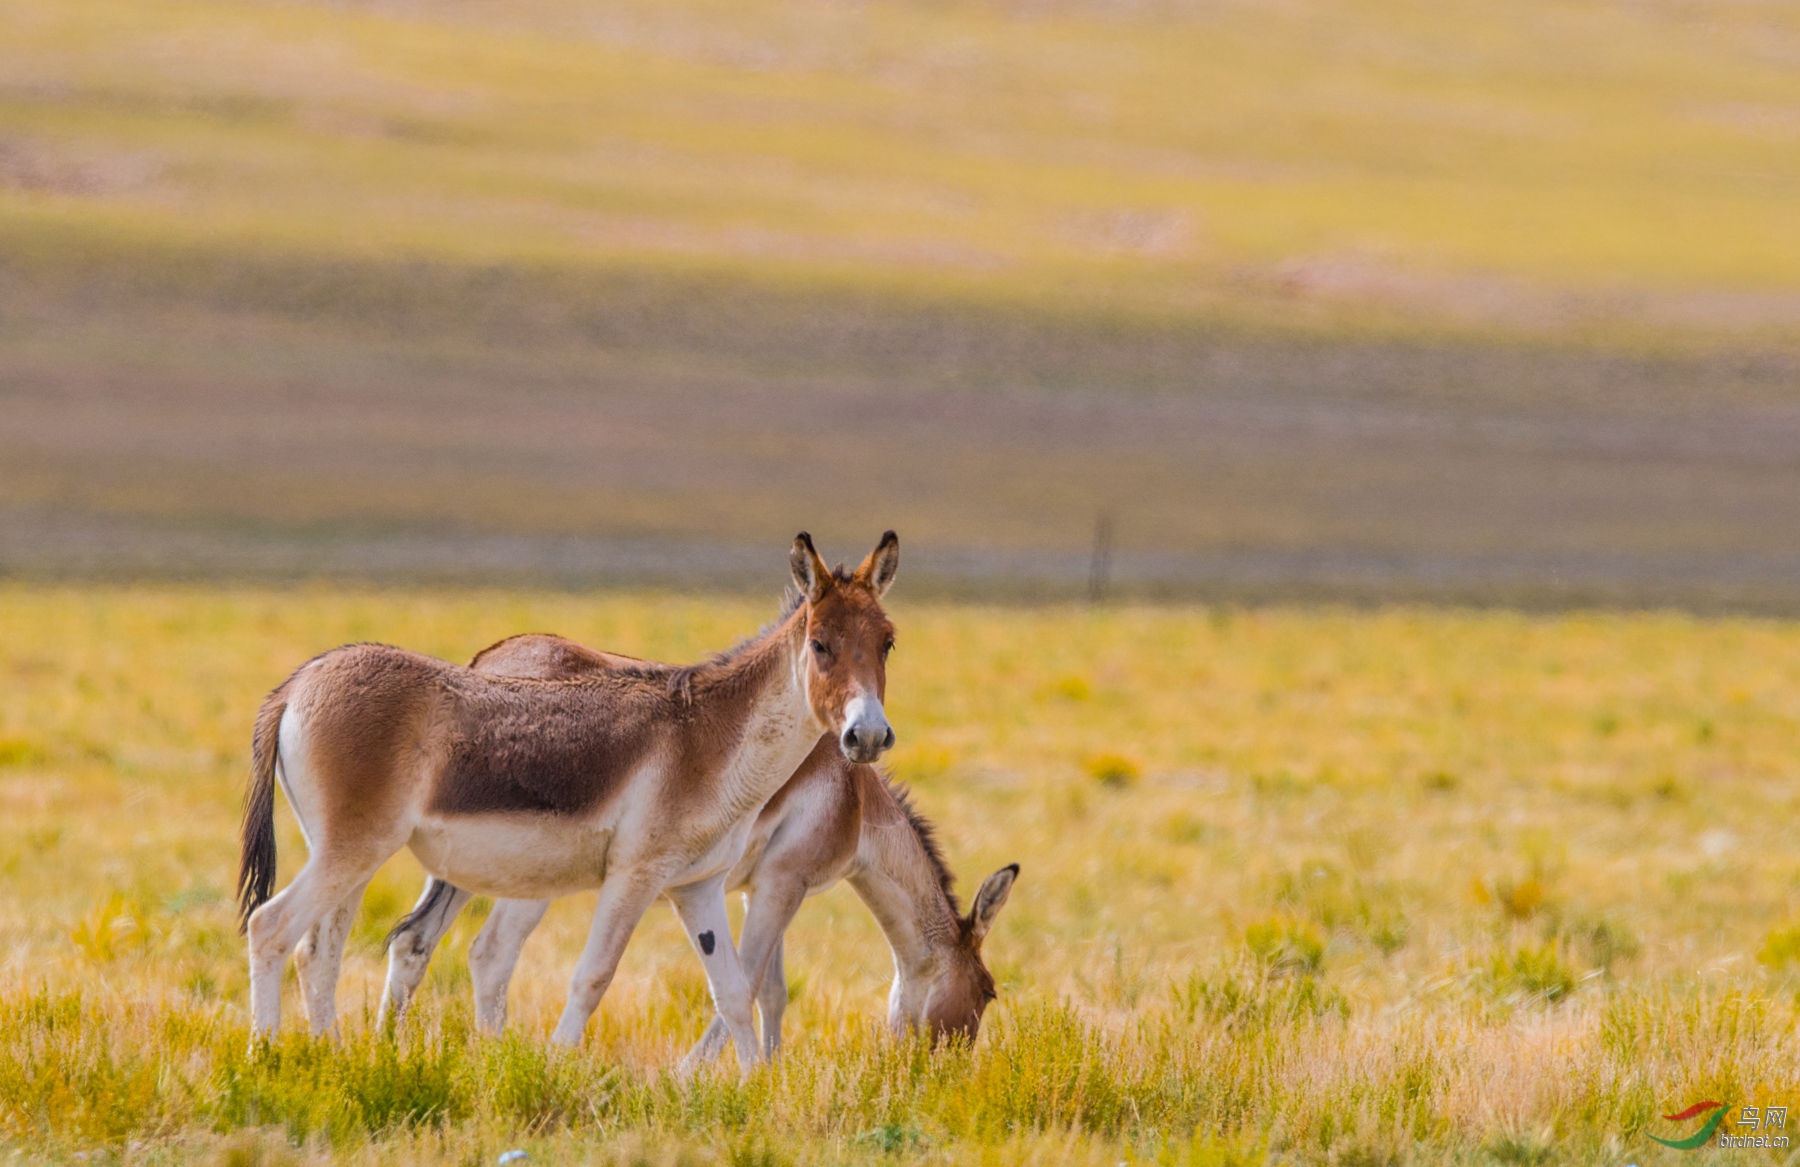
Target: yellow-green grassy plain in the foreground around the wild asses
[(1329, 885)]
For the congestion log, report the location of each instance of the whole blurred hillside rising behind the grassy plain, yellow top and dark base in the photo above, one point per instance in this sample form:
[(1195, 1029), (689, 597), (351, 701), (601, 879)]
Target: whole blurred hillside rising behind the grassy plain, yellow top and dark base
[(1491, 302)]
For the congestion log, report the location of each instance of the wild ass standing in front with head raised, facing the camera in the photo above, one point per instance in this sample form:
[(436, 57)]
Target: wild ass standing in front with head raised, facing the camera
[(640, 783)]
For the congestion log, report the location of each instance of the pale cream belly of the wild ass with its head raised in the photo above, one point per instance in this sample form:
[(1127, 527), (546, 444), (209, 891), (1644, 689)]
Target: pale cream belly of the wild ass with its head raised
[(514, 856)]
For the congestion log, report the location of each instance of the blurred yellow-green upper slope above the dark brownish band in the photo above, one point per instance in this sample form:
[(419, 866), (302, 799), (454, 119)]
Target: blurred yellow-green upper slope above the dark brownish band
[(1390, 165)]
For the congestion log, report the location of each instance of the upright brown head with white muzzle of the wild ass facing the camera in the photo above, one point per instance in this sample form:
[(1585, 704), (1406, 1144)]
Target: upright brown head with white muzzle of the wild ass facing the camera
[(849, 640)]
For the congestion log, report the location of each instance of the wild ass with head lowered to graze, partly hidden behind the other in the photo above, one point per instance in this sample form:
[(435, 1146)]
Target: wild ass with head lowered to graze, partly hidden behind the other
[(832, 820)]
